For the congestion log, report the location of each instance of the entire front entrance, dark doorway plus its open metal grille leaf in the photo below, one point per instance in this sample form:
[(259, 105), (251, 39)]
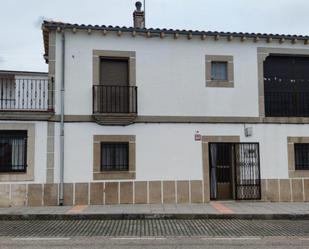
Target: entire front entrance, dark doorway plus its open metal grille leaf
[(234, 171)]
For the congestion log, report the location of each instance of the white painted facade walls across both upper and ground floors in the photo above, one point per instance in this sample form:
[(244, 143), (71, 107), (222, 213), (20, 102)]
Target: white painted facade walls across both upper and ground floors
[(170, 76)]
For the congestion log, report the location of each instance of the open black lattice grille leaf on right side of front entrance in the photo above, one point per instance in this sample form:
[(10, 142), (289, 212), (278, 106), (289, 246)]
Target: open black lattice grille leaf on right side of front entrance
[(247, 171)]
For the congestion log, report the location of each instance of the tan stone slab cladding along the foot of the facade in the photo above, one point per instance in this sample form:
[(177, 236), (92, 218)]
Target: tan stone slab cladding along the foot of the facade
[(138, 192)]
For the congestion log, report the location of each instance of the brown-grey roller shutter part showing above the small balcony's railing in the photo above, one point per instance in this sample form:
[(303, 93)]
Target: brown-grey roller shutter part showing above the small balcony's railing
[(114, 72)]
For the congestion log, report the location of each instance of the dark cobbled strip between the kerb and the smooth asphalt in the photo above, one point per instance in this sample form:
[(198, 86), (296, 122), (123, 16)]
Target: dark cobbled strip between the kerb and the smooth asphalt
[(154, 228)]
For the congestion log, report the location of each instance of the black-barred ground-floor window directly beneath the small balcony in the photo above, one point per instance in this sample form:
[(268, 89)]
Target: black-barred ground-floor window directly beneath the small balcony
[(114, 156)]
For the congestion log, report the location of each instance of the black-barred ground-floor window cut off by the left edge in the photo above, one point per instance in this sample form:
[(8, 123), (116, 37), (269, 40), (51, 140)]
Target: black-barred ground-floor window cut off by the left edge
[(13, 151)]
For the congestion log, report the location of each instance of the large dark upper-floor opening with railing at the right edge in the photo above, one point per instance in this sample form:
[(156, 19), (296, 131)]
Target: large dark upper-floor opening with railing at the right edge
[(286, 86)]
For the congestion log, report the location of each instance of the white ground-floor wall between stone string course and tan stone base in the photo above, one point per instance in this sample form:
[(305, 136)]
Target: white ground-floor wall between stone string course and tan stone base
[(169, 152)]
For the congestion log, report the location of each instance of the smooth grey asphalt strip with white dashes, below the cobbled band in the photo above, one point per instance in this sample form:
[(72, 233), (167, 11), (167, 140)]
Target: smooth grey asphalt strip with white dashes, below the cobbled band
[(155, 243)]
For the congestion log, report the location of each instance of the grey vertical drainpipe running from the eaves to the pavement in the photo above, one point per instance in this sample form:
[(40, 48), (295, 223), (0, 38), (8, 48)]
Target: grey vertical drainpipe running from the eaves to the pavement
[(61, 192)]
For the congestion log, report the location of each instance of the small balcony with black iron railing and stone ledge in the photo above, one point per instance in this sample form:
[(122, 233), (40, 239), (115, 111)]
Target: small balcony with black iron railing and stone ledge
[(114, 104)]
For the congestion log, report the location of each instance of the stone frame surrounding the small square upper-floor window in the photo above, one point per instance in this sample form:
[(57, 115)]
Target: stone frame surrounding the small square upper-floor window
[(210, 82)]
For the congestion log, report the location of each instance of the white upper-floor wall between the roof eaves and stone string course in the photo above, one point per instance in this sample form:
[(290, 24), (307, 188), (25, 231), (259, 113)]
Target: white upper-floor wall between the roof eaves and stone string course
[(169, 70)]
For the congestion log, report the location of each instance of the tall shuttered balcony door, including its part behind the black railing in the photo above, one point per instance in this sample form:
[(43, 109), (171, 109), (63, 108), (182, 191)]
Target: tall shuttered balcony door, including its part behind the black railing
[(114, 78)]
